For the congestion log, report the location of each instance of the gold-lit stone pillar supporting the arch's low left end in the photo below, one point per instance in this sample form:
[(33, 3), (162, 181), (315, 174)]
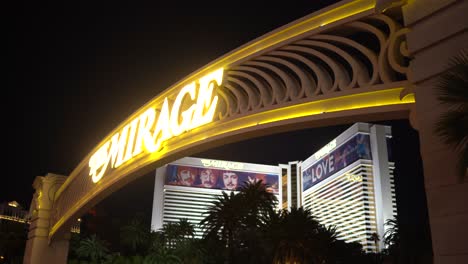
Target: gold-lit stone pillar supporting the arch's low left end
[(38, 249)]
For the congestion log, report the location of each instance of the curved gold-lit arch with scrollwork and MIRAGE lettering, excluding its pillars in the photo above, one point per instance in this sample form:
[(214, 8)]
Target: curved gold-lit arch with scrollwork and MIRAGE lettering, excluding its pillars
[(342, 64)]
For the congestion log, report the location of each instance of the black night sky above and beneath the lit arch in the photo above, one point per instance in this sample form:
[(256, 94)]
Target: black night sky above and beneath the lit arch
[(78, 69)]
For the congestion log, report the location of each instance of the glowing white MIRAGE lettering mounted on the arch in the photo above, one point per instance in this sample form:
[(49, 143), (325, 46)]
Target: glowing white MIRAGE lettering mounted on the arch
[(146, 132)]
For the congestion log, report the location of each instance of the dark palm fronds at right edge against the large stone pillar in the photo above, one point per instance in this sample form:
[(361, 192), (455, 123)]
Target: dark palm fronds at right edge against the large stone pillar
[(452, 126)]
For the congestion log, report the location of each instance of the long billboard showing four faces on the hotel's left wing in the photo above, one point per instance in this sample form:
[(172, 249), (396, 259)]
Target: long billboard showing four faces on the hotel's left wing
[(211, 178)]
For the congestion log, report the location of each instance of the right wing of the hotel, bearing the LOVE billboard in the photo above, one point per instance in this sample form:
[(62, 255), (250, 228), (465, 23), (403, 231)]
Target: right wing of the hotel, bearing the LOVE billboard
[(349, 184)]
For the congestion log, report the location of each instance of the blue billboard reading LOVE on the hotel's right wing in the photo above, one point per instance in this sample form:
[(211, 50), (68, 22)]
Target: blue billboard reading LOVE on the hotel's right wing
[(358, 147)]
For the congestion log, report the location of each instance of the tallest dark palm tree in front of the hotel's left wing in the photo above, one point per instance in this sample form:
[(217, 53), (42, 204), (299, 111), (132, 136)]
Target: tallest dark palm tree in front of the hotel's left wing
[(236, 220)]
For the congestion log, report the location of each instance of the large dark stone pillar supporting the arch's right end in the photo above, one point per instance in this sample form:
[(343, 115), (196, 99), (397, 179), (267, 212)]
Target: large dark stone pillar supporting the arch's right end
[(438, 32)]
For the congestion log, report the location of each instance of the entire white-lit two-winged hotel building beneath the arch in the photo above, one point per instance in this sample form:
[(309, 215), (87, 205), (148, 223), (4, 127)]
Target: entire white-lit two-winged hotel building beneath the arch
[(347, 184)]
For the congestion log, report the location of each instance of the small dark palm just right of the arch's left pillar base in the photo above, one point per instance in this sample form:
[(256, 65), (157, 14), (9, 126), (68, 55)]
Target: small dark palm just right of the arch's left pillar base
[(92, 248)]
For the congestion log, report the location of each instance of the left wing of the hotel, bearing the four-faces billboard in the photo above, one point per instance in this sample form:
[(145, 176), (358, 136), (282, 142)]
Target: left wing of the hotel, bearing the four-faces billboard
[(181, 193)]
